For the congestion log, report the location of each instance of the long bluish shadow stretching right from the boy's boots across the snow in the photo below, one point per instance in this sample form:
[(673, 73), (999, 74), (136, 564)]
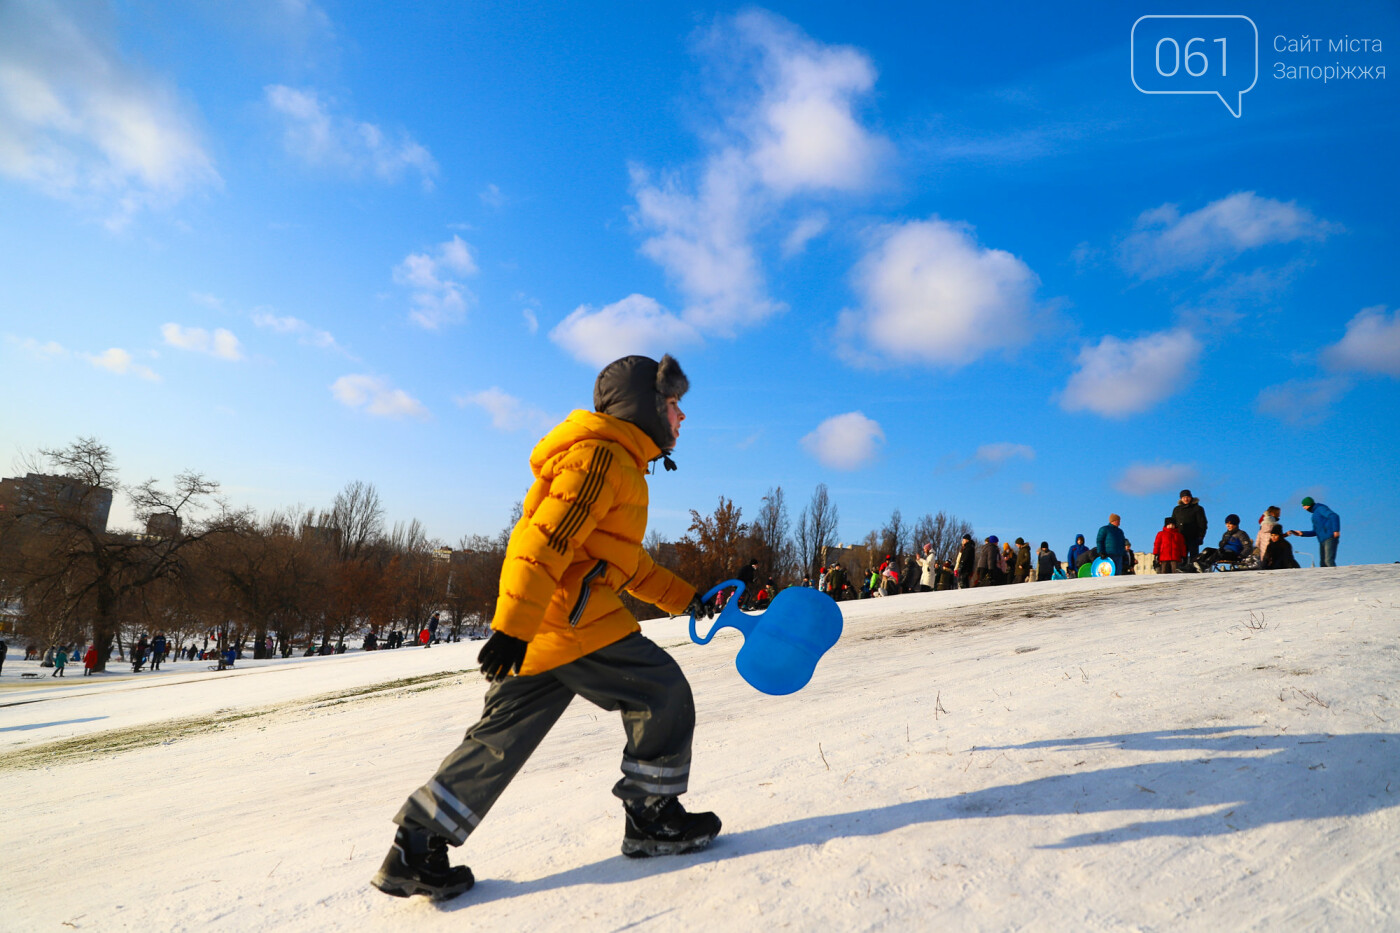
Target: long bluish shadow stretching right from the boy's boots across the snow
[(1244, 781)]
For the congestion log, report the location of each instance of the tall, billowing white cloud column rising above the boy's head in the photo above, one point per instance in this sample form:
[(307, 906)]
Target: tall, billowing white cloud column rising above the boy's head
[(787, 127)]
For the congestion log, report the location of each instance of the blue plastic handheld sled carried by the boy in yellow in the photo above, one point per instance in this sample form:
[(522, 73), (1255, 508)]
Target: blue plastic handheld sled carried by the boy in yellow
[(782, 645)]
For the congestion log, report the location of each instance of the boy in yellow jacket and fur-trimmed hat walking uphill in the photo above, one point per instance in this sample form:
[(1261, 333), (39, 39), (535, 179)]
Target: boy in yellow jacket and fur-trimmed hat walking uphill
[(561, 630)]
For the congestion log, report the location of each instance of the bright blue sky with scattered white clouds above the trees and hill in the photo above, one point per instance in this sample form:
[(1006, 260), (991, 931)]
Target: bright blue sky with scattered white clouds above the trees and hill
[(936, 257)]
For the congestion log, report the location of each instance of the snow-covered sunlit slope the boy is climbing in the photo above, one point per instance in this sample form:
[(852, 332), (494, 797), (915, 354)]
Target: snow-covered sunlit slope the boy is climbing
[(1139, 753)]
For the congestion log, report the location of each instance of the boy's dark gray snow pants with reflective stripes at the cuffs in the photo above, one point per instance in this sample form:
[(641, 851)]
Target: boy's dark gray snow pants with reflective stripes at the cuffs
[(633, 676)]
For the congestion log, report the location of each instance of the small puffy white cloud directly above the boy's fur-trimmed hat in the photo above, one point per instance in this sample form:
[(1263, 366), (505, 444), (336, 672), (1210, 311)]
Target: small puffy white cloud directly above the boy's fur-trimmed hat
[(636, 324)]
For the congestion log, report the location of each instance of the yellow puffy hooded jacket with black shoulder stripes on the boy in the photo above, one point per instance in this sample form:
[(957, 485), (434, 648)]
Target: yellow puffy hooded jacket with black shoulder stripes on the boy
[(579, 544)]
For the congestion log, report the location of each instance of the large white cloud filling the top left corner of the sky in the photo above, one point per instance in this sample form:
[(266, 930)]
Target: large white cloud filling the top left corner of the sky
[(80, 123)]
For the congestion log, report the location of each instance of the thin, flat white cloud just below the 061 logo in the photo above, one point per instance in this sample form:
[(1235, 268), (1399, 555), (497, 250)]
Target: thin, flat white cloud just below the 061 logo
[(1168, 242)]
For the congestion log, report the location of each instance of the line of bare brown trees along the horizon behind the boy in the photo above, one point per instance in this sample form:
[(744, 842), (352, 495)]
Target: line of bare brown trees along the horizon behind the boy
[(297, 579)]
